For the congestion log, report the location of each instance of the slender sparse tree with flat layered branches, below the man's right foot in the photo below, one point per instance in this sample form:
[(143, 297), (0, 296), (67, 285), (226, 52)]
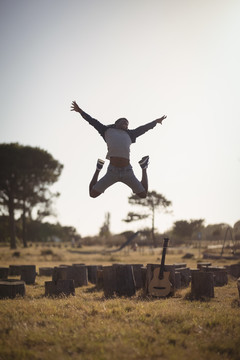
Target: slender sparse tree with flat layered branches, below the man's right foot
[(154, 201)]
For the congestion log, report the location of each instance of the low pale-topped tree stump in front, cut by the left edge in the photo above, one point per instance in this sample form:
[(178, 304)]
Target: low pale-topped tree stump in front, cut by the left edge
[(12, 288)]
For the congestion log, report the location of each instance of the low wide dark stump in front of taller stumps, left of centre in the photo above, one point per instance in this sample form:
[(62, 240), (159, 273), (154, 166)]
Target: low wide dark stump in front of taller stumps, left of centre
[(60, 287)]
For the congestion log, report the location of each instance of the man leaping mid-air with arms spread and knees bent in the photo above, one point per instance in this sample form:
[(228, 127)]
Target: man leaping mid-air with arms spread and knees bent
[(118, 139)]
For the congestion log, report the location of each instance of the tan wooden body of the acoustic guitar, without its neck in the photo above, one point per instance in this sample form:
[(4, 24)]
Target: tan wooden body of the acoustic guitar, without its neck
[(159, 287)]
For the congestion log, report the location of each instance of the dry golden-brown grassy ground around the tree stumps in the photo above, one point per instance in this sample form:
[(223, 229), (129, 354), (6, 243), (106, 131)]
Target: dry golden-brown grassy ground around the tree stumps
[(88, 326)]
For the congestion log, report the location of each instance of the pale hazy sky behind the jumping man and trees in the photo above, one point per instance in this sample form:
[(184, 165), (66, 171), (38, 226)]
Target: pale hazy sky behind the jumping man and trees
[(138, 59)]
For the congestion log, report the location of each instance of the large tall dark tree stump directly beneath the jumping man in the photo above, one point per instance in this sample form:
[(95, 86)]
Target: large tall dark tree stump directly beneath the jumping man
[(125, 282)]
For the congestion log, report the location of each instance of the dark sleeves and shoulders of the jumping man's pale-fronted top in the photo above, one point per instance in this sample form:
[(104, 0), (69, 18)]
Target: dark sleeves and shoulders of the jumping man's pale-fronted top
[(132, 133)]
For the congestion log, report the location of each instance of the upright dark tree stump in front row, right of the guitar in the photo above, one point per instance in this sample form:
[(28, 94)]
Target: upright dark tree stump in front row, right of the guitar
[(202, 284)]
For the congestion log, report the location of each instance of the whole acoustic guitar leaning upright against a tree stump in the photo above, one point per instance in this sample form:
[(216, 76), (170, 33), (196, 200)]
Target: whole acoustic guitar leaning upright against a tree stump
[(160, 285)]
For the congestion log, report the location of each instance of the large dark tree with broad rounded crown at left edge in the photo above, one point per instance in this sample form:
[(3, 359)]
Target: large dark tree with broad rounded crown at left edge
[(25, 176)]
